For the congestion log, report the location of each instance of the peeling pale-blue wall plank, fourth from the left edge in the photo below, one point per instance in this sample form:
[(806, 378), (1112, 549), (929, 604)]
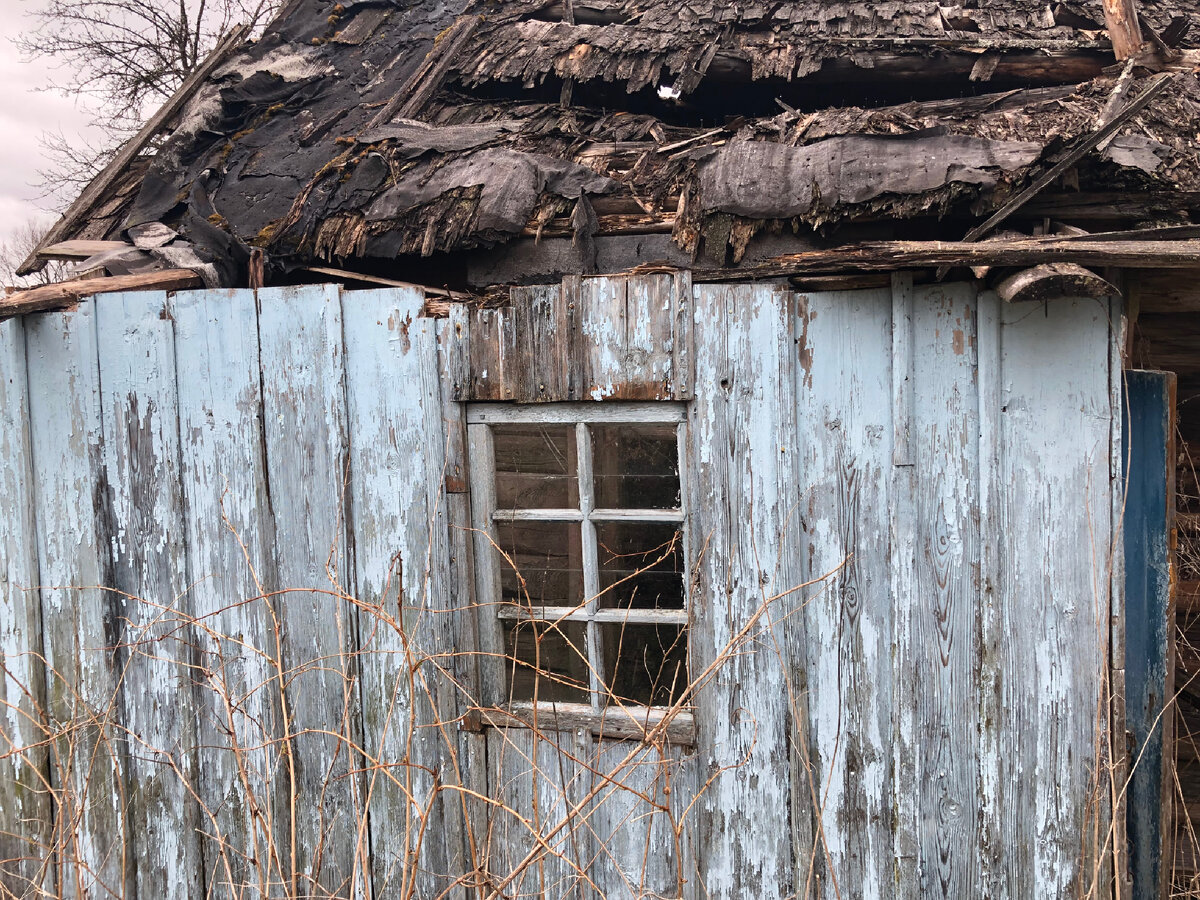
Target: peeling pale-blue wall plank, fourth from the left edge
[(230, 561)]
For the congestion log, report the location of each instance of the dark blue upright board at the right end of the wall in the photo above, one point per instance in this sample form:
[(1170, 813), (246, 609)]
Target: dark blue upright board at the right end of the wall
[(1149, 433)]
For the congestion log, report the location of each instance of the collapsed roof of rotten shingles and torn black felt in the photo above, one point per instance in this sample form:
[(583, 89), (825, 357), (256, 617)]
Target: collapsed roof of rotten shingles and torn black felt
[(368, 133)]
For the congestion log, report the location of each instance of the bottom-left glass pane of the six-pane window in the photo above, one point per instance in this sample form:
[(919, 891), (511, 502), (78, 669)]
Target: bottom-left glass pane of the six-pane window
[(553, 658)]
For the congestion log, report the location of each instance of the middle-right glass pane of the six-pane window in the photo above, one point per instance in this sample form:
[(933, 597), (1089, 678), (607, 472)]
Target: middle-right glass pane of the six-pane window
[(641, 566)]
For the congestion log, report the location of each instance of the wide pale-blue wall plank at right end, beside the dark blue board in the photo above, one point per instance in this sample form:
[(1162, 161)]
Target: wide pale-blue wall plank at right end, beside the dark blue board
[(1058, 427)]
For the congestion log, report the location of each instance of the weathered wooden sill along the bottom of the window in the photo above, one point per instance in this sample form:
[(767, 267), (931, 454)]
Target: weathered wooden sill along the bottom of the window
[(629, 723)]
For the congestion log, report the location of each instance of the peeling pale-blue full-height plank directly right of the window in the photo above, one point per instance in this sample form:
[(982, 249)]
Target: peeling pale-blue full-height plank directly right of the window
[(740, 536)]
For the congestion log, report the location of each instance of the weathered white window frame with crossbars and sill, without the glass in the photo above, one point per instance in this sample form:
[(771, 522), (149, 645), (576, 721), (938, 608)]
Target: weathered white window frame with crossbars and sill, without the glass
[(623, 721)]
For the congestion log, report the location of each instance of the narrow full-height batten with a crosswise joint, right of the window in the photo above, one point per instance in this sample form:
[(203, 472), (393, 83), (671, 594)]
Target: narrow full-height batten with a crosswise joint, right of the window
[(902, 531)]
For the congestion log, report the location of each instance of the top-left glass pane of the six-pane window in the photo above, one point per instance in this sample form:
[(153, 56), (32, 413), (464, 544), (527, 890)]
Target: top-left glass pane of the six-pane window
[(536, 467)]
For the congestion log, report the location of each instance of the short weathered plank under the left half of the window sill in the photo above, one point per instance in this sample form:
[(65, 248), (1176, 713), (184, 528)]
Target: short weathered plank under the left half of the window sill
[(539, 838)]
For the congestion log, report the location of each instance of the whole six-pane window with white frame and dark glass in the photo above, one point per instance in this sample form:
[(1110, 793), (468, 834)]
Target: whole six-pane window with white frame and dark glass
[(581, 520)]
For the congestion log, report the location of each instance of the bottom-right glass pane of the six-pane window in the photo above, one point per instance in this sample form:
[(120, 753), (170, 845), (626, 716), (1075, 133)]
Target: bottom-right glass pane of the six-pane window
[(646, 664)]
